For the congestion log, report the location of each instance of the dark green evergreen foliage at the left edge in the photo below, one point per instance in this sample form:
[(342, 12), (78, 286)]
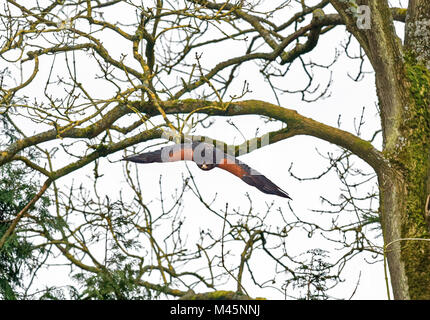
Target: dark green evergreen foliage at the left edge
[(20, 260)]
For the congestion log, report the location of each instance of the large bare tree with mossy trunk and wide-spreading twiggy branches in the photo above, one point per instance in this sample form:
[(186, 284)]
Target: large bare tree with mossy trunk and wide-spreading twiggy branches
[(154, 79)]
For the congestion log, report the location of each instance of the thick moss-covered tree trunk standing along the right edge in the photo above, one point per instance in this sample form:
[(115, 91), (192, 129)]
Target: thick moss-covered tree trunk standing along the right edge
[(404, 96)]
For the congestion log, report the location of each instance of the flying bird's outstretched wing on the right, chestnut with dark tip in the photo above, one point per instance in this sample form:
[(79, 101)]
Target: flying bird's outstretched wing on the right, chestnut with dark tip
[(251, 176)]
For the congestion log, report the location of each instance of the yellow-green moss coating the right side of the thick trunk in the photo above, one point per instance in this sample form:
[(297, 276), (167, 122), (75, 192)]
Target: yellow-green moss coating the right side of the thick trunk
[(413, 161)]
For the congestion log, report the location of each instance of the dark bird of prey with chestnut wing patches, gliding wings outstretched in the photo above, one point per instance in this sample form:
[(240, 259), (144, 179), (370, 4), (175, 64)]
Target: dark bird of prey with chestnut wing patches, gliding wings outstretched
[(207, 157)]
